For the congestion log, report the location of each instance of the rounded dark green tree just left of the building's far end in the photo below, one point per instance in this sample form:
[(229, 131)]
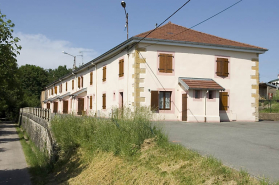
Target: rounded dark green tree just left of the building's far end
[(33, 79)]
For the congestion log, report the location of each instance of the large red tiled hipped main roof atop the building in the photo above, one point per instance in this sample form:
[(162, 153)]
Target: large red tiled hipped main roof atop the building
[(175, 32)]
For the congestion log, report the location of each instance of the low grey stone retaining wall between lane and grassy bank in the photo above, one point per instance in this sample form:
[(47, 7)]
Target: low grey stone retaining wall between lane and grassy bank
[(39, 133)]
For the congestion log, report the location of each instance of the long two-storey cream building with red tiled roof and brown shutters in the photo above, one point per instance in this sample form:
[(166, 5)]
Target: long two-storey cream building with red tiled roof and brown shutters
[(182, 74)]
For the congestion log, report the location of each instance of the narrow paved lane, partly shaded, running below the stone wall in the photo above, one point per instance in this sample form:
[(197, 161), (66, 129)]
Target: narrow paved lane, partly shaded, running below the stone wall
[(13, 167)]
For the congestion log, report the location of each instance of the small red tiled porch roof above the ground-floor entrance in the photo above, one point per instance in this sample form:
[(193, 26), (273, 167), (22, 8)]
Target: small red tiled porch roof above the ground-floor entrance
[(202, 84)]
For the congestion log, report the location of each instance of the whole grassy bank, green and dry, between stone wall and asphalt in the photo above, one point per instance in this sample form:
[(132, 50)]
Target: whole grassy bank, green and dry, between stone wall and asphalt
[(129, 149)]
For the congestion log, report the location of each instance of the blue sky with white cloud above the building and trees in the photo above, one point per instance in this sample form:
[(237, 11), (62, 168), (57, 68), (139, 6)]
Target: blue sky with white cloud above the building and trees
[(90, 28)]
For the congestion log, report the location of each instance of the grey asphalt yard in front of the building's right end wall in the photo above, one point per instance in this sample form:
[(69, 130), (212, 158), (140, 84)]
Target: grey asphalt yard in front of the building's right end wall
[(250, 146)]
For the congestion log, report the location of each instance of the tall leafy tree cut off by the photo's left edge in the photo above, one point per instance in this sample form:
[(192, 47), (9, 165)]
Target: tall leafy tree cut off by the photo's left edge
[(10, 93)]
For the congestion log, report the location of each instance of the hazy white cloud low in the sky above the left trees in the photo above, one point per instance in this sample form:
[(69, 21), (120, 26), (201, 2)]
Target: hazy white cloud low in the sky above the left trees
[(41, 51)]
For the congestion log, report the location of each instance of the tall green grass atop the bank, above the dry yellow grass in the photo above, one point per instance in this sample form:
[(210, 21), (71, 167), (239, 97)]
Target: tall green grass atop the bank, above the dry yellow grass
[(122, 134)]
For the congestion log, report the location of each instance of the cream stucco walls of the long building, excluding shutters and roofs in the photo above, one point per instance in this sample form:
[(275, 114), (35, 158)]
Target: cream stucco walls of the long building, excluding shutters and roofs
[(142, 76)]
